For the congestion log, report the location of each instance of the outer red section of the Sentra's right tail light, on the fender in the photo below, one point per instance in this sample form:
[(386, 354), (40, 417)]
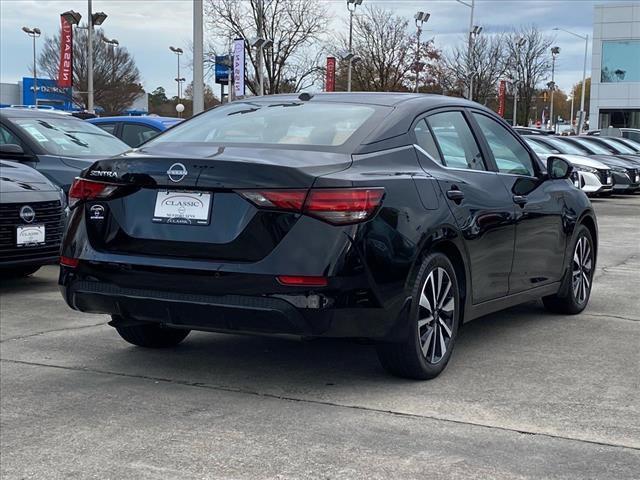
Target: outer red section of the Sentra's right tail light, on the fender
[(343, 205)]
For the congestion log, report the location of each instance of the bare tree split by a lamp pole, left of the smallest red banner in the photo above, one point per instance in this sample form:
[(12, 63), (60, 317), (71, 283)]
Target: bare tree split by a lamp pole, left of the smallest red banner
[(487, 63)]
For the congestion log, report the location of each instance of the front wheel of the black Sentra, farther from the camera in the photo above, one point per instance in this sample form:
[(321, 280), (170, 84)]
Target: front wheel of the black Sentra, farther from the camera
[(573, 296)]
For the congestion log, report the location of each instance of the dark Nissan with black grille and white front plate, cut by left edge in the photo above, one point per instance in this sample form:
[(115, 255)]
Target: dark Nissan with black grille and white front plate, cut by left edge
[(32, 214)]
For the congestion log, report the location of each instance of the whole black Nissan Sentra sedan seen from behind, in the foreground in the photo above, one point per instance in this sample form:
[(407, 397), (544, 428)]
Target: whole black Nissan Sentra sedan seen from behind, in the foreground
[(395, 217)]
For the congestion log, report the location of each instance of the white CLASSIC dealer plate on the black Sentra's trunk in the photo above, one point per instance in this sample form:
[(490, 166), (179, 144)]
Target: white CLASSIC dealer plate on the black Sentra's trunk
[(182, 207)]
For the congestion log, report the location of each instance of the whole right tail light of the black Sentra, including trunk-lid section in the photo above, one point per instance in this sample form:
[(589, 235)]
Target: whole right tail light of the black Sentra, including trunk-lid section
[(338, 206)]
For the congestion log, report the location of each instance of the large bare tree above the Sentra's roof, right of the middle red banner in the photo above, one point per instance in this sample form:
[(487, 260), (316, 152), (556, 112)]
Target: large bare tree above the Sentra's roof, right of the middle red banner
[(387, 52)]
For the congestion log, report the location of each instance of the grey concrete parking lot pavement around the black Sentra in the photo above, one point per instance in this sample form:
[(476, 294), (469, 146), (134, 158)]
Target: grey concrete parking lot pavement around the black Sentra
[(527, 394)]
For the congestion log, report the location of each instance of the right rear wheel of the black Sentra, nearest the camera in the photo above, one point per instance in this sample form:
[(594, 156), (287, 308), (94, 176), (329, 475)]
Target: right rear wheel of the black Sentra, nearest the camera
[(432, 332)]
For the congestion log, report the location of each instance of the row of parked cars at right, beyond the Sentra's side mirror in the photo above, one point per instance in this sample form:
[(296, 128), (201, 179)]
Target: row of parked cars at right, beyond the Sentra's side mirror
[(605, 165)]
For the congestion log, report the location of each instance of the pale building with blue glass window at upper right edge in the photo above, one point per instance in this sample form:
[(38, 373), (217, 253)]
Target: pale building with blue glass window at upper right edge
[(615, 78)]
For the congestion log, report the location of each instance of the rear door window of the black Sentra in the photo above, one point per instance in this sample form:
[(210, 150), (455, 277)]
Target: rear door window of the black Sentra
[(458, 146)]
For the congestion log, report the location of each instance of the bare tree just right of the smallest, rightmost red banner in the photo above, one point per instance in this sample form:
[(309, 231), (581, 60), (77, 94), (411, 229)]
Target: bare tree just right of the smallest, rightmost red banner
[(528, 65)]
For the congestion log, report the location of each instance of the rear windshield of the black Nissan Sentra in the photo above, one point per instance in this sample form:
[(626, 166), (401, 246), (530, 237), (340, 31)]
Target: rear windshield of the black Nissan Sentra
[(287, 123)]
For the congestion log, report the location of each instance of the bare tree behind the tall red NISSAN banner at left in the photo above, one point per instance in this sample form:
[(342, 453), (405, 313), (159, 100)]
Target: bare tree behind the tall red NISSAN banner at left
[(116, 79)]
